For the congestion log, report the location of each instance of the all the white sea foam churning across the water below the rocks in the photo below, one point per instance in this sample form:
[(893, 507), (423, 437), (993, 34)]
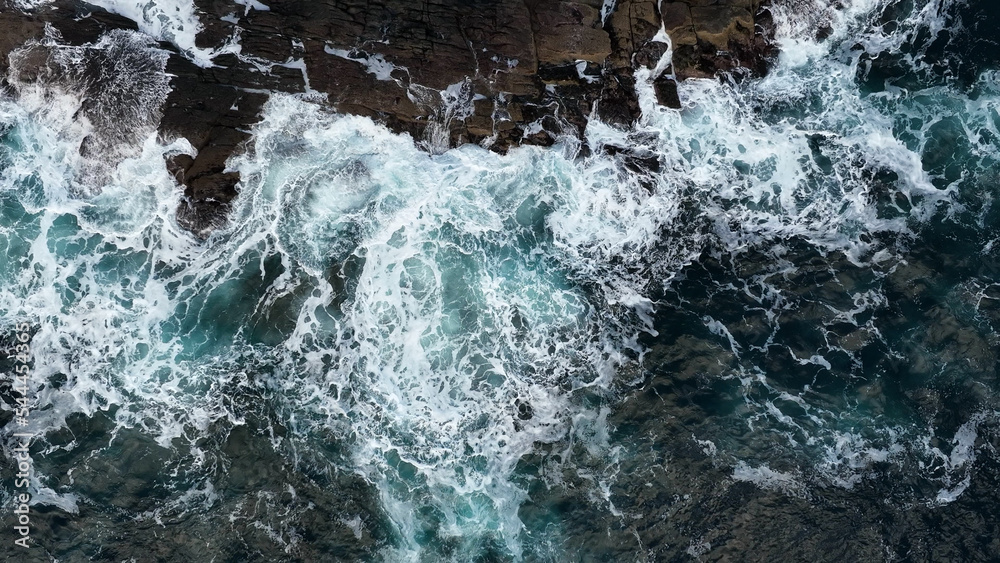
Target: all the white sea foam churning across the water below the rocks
[(431, 294)]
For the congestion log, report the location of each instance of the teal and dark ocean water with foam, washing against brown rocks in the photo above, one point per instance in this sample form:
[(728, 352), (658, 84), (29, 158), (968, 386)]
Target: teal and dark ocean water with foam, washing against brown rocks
[(782, 344)]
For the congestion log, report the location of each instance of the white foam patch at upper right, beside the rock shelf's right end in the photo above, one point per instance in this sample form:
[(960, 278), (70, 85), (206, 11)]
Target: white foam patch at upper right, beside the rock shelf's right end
[(807, 174)]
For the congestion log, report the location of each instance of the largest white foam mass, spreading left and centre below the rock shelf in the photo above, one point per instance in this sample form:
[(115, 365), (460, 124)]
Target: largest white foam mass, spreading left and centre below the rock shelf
[(467, 301)]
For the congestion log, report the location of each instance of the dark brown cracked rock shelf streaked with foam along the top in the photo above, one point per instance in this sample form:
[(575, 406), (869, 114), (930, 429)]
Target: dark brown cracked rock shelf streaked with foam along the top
[(499, 73)]
